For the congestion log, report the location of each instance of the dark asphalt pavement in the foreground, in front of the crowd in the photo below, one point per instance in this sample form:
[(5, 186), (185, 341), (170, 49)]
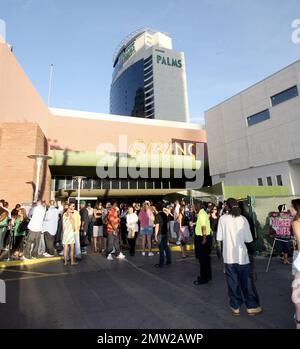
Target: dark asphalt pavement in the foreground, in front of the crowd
[(132, 293)]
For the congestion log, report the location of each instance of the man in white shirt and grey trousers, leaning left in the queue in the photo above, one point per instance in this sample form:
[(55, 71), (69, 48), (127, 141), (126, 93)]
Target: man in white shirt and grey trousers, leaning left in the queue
[(35, 231)]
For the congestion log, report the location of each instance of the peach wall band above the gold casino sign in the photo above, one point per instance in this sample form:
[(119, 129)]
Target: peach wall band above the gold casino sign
[(85, 134)]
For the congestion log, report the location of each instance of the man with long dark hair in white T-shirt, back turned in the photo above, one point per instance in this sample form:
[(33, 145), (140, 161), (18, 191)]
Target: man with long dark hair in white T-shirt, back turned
[(234, 232)]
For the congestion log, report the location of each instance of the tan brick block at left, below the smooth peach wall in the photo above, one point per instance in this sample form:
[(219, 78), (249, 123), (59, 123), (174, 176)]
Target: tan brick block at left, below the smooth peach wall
[(17, 171)]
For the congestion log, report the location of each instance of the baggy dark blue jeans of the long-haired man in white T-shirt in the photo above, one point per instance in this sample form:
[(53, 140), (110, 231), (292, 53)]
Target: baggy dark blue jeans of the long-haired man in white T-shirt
[(239, 281)]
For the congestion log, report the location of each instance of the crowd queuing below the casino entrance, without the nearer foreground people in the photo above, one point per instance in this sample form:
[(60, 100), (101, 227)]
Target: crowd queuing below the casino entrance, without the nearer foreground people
[(46, 230)]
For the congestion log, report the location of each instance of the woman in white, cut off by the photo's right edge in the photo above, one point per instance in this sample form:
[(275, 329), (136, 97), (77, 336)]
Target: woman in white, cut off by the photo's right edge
[(295, 211)]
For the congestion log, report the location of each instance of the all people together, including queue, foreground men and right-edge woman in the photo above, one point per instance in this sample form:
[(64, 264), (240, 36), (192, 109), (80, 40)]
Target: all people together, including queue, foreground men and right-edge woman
[(111, 229)]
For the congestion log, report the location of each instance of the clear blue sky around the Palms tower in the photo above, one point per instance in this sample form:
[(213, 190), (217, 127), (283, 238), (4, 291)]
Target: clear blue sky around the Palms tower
[(228, 44)]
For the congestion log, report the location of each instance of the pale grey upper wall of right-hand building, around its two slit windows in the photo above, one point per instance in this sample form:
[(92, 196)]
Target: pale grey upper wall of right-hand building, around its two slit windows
[(233, 146)]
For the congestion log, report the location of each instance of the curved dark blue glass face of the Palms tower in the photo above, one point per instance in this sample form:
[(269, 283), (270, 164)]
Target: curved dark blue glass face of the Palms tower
[(127, 94)]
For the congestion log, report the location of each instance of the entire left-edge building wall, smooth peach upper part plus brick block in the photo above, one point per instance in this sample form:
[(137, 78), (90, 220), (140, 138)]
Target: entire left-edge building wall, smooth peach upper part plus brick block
[(24, 119)]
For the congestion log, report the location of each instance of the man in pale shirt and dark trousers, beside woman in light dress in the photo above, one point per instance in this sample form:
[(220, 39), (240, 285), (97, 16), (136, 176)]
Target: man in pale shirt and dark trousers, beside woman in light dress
[(50, 228)]
